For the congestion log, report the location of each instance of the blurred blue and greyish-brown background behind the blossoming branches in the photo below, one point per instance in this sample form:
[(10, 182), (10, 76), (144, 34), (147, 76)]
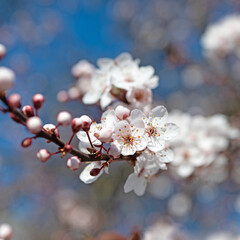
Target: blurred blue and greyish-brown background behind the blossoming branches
[(45, 38)]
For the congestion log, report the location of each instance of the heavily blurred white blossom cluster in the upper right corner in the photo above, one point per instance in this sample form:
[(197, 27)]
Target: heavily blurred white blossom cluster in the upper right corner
[(222, 37)]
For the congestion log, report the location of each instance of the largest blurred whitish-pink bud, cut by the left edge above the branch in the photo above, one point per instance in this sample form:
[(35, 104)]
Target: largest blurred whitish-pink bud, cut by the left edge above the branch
[(7, 77)]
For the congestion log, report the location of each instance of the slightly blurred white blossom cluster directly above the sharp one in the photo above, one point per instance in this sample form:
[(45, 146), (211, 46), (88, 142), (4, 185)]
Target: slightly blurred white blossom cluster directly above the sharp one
[(121, 78)]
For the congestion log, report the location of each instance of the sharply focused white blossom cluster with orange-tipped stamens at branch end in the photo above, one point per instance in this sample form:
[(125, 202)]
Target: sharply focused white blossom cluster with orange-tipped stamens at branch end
[(128, 133)]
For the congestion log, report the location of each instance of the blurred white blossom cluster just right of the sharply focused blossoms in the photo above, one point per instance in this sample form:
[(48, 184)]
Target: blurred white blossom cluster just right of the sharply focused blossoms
[(200, 142)]
